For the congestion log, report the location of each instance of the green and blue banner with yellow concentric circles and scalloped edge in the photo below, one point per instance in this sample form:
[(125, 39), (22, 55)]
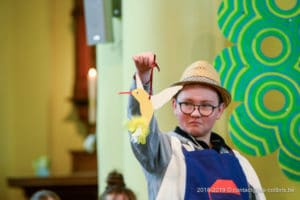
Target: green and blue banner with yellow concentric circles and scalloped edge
[(262, 71)]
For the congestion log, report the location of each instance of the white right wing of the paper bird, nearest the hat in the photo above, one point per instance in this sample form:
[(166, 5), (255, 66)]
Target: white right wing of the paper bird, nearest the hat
[(158, 100)]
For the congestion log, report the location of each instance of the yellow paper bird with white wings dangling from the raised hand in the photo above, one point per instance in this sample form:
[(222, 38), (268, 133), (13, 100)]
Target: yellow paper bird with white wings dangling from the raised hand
[(139, 125)]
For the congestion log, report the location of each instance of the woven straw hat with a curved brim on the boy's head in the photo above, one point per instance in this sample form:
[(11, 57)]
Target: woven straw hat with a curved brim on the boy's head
[(202, 72)]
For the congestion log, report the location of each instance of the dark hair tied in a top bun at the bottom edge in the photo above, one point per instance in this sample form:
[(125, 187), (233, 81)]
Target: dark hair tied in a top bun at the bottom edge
[(116, 185)]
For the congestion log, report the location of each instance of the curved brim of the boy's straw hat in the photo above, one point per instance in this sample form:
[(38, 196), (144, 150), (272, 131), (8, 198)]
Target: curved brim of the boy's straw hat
[(225, 95)]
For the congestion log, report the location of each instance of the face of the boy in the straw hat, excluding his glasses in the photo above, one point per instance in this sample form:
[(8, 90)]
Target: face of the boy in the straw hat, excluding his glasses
[(195, 124)]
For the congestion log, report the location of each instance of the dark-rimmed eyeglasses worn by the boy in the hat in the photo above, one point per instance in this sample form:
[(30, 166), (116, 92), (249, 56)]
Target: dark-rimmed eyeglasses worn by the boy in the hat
[(204, 109)]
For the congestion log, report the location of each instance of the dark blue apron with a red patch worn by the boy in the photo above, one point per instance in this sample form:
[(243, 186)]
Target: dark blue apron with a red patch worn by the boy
[(214, 176)]
